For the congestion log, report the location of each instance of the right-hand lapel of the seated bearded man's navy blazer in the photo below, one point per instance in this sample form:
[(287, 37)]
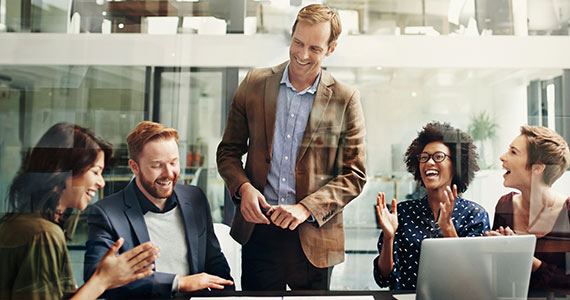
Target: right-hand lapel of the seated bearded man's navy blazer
[(190, 227)]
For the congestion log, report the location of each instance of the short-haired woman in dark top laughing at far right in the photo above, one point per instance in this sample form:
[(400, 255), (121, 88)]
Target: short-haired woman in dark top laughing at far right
[(534, 161)]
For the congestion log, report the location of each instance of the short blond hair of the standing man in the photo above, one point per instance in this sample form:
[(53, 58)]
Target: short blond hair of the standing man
[(317, 13)]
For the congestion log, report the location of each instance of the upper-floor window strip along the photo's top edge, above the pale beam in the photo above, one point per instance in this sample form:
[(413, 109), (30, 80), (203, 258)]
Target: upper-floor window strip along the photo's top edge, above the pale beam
[(386, 17)]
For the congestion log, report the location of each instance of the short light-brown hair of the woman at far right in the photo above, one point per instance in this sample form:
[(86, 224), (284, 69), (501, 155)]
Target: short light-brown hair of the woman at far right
[(547, 147)]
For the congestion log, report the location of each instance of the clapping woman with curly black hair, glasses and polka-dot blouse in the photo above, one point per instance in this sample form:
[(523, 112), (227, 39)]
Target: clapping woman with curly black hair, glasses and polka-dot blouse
[(443, 160)]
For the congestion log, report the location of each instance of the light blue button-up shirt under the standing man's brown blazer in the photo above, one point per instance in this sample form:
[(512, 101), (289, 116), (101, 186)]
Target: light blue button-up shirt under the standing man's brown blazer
[(293, 110)]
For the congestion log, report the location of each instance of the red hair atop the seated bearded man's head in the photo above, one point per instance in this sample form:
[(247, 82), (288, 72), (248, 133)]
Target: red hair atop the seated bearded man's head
[(145, 132)]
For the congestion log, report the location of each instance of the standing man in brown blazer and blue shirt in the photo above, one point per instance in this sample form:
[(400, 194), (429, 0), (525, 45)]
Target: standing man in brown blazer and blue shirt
[(303, 133)]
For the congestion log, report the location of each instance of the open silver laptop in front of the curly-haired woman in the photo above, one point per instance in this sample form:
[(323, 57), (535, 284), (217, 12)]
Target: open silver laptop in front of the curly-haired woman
[(475, 268)]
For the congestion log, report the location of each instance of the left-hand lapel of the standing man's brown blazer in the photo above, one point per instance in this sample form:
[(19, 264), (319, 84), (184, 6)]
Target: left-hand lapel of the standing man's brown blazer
[(270, 103)]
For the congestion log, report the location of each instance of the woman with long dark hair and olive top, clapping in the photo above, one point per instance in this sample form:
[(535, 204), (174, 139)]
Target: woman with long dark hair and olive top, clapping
[(62, 172)]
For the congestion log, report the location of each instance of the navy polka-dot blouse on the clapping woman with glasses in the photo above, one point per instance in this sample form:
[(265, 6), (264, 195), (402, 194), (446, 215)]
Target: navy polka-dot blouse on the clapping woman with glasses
[(416, 223)]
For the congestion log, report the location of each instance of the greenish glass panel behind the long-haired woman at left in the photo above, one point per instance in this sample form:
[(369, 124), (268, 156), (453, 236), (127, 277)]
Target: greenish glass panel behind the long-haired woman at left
[(108, 100)]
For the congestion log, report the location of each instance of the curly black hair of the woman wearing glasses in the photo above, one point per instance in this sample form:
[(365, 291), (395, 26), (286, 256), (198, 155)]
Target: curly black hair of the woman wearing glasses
[(464, 163)]
